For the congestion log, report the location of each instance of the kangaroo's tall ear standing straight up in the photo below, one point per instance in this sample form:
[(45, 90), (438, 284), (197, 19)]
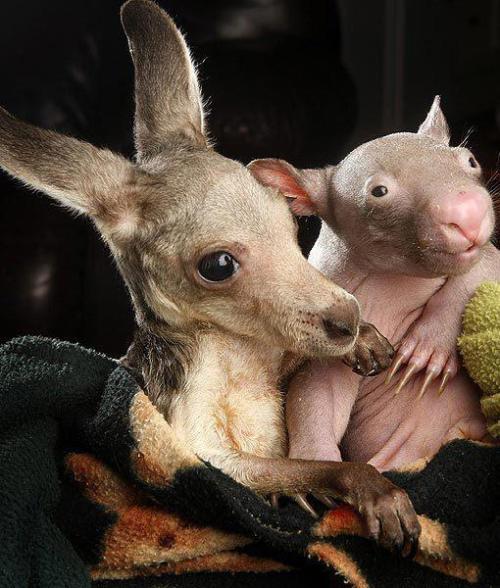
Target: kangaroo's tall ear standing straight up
[(168, 100)]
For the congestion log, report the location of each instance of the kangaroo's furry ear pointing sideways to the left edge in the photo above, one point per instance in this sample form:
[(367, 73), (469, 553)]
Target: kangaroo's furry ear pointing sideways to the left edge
[(79, 175)]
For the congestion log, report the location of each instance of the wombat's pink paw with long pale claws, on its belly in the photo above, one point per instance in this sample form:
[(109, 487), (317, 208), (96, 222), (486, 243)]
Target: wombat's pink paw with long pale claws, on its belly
[(430, 345)]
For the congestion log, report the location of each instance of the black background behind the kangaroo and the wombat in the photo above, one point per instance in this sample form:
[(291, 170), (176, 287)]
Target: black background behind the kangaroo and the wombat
[(305, 80)]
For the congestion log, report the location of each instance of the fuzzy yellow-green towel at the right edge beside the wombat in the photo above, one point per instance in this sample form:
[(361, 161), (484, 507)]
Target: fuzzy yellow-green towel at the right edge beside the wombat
[(480, 348)]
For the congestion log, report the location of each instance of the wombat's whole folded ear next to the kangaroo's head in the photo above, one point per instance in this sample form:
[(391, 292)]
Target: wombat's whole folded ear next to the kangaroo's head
[(306, 189)]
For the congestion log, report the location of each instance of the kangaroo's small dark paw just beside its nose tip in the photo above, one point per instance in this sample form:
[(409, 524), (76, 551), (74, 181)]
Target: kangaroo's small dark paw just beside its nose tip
[(371, 354)]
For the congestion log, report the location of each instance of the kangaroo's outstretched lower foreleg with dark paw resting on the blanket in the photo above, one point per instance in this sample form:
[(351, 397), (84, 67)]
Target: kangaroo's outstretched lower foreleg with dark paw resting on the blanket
[(386, 509)]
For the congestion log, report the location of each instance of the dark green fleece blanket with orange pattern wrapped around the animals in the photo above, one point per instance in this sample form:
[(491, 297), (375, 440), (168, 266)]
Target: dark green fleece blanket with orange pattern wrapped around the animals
[(95, 485)]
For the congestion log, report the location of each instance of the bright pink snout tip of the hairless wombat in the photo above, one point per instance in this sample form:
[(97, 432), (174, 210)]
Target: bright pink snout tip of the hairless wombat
[(464, 216)]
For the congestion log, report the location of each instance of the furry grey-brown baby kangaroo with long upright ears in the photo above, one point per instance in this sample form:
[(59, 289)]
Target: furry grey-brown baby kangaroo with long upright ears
[(220, 288)]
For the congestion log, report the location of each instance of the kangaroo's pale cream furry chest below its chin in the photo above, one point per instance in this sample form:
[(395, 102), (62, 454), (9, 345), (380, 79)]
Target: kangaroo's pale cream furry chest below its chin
[(230, 403)]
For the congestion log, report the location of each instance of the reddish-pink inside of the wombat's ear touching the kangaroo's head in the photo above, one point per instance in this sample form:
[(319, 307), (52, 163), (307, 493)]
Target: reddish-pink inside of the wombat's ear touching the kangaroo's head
[(277, 173)]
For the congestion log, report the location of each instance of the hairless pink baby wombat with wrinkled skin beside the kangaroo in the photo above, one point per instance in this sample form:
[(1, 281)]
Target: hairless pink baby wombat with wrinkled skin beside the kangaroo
[(407, 227)]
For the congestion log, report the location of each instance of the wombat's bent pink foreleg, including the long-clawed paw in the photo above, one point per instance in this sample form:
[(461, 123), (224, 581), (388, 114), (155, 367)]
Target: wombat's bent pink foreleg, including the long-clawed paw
[(431, 341)]
